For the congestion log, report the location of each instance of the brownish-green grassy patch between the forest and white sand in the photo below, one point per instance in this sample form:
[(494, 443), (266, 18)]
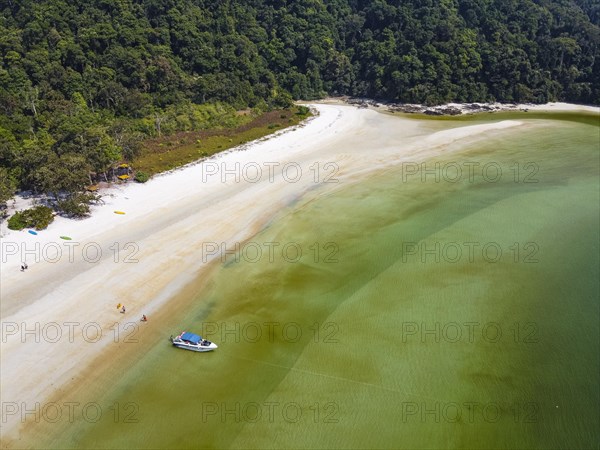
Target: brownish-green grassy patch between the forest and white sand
[(169, 152)]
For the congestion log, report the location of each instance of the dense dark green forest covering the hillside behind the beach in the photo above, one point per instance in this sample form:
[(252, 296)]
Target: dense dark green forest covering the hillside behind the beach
[(83, 83)]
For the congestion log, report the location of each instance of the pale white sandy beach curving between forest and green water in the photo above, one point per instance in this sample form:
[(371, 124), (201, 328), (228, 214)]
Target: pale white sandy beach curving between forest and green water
[(170, 234)]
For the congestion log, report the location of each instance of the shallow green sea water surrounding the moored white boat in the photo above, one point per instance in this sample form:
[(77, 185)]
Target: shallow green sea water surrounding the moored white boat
[(427, 309)]
